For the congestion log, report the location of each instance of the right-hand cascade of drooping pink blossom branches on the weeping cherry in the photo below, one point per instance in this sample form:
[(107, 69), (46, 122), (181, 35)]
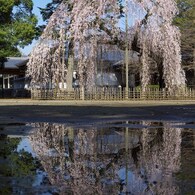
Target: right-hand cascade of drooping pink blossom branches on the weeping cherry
[(160, 40)]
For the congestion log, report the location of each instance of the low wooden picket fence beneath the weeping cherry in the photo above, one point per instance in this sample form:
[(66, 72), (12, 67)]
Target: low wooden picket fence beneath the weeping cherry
[(110, 94)]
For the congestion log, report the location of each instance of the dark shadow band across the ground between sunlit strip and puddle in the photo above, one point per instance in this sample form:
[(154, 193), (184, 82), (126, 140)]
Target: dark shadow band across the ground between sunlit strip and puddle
[(92, 113)]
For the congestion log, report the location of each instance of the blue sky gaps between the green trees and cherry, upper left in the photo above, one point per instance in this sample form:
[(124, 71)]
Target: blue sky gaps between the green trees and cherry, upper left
[(37, 3)]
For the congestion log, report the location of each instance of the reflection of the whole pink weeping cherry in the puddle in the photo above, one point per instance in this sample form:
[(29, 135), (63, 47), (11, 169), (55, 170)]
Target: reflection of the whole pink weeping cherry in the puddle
[(111, 160)]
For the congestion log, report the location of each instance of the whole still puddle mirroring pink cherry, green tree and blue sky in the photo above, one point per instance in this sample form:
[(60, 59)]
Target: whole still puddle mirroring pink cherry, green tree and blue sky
[(55, 159)]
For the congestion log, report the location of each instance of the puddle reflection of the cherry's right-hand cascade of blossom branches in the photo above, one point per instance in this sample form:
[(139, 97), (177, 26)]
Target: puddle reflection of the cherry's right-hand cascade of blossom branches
[(160, 158)]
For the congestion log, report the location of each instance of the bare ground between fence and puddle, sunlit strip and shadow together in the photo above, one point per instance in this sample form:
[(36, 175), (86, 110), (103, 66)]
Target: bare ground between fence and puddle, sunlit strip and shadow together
[(20, 110)]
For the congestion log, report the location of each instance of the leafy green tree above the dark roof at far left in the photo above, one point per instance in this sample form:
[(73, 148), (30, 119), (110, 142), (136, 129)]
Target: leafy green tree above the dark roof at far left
[(18, 27)]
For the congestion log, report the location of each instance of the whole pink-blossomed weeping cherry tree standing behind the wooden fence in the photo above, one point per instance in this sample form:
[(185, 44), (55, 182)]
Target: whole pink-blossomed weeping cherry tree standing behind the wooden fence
[(77, 27)]
